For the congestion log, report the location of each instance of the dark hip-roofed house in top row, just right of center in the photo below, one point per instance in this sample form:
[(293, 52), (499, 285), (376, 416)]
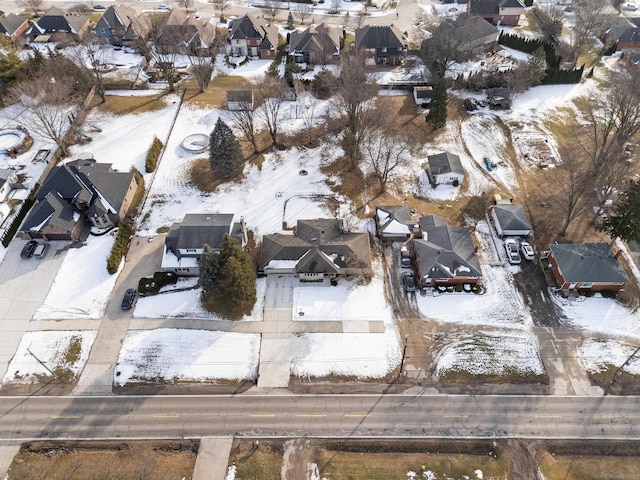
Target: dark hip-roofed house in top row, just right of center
[(381, 44)]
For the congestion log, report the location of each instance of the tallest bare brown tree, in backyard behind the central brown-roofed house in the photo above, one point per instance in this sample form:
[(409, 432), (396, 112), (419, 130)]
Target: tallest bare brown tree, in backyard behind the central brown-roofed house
[(354, 99)]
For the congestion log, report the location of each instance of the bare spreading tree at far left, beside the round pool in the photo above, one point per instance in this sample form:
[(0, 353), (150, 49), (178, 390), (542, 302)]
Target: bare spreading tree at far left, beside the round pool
[(49, 107)]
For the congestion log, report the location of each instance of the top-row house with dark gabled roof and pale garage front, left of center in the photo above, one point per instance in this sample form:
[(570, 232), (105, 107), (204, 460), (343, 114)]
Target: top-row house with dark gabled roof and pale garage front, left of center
[(252, 36)]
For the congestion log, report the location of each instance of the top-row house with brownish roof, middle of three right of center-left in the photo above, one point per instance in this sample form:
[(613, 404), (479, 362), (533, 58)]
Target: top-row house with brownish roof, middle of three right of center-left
[(315, 45)]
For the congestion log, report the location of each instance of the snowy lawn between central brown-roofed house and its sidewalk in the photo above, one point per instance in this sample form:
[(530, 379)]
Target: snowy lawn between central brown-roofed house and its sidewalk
[(344, 302)]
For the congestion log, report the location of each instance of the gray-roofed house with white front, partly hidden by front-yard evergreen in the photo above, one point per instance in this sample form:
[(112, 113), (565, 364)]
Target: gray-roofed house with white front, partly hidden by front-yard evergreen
[(185, 241)]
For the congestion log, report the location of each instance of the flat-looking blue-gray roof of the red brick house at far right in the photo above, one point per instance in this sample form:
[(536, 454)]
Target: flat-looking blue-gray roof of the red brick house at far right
[(588, 263)]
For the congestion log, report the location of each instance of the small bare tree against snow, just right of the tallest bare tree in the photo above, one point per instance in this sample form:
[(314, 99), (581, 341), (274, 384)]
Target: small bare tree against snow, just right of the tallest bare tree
[(383, 153)]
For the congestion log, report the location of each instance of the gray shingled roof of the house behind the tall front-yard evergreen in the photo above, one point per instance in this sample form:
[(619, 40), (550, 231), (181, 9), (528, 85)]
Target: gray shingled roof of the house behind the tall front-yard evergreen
[(195, 230)]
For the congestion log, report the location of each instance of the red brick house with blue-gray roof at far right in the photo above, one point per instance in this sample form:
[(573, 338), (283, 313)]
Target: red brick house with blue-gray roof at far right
[(587, 266)]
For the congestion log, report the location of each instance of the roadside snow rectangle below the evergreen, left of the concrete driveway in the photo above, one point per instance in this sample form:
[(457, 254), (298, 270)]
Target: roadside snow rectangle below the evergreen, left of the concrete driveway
[(176, 355)]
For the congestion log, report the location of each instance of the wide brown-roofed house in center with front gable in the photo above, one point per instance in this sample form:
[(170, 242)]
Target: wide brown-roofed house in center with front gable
[(318, 248)]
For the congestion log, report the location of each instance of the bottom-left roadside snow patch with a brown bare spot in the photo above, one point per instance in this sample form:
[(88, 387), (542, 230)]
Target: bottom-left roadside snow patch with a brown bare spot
[(60, 351)]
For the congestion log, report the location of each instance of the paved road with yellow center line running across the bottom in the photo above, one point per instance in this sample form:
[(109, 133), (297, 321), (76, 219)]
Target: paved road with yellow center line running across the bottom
[(333, 415)]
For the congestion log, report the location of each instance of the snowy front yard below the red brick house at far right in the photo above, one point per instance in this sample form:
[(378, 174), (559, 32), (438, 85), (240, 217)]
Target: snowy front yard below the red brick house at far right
[(599, 314)]
